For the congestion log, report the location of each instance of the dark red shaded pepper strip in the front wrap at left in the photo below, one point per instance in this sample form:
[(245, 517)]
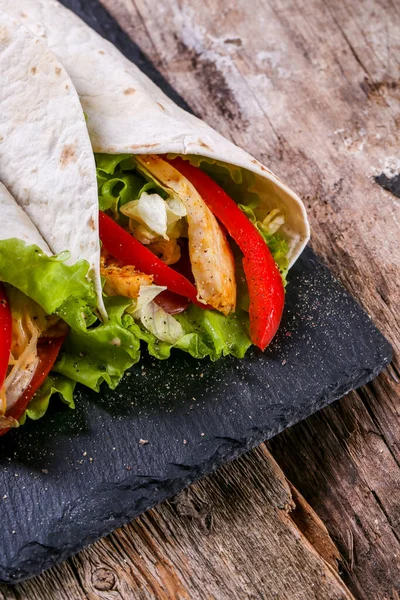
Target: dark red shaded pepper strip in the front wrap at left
[(47, 349)]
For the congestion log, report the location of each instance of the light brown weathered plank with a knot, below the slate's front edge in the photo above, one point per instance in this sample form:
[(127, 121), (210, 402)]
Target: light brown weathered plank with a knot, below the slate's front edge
[(229, 536)]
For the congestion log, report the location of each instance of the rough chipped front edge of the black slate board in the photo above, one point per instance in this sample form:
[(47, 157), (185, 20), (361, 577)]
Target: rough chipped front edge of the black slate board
[(47, 557)]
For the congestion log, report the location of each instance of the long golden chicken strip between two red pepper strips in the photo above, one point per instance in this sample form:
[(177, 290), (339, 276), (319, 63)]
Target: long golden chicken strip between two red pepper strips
[(210, 254)]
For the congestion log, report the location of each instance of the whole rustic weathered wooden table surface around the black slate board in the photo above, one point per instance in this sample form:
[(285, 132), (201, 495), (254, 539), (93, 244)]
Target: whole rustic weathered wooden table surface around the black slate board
[(312, 89)]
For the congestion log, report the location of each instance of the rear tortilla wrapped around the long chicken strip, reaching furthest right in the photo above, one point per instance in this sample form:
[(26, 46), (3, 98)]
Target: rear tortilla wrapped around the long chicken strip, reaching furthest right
[(127, 113)]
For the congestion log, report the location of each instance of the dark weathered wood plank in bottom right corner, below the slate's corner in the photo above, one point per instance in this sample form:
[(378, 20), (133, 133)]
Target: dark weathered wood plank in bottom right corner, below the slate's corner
[(352, 480)]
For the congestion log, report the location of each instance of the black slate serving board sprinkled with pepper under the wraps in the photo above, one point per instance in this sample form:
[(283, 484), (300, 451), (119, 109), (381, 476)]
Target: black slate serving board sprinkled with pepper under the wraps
[(74, 476)]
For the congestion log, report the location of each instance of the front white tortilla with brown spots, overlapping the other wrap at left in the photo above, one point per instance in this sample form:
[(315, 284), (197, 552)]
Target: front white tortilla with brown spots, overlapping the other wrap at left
[(46, 159)]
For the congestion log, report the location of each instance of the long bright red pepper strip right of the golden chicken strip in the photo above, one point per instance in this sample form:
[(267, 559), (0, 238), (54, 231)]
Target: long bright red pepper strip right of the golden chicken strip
[(263, 278)]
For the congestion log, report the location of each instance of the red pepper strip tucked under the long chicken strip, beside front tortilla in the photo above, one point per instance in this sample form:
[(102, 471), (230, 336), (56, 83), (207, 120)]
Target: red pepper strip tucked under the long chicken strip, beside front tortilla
[(120, 244)]
